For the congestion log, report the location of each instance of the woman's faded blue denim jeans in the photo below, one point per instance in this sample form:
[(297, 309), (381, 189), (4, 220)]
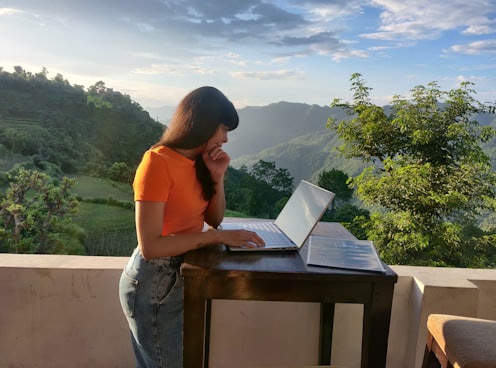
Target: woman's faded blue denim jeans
[(151, 295)]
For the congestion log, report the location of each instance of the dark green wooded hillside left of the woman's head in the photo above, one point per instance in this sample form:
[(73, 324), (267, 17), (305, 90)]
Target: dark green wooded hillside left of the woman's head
[(80, 131)]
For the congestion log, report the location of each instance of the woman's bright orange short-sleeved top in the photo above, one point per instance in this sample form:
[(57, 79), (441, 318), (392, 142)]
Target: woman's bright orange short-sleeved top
[(167, 176)]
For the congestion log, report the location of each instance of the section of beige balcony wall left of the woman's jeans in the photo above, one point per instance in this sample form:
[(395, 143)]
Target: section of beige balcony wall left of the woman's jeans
[(61, 311)]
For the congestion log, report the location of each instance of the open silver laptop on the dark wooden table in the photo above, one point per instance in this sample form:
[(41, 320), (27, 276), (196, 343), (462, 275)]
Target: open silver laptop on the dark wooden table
[(293, 225)]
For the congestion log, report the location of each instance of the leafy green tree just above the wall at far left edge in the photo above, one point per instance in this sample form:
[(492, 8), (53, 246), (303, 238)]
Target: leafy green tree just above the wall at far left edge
[(34, 214)]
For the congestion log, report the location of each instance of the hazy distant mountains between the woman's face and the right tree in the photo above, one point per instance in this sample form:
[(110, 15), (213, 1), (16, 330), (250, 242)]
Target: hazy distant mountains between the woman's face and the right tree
[(294, 136)]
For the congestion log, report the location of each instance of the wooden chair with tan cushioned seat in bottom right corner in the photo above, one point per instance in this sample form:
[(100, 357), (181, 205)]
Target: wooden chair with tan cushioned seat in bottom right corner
[(460, 342)]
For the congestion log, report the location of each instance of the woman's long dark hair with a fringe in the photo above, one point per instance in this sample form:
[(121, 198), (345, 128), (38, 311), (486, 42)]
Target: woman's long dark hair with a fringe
[(195, 121)]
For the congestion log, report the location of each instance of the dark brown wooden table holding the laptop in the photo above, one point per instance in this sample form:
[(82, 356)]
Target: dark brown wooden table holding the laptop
[(217, 273)]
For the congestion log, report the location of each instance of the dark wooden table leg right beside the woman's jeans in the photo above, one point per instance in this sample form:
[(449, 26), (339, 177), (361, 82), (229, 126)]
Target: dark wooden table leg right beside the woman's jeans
[(196, 329)]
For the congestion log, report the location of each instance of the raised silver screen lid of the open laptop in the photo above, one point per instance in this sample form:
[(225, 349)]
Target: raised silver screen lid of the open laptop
[(303, 210)]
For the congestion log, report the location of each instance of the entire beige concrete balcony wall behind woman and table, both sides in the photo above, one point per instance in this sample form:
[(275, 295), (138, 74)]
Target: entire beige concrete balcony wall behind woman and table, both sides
[(64, 311)]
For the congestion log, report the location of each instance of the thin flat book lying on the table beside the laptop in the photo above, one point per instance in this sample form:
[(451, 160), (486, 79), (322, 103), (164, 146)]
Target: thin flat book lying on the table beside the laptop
[(344, 253)]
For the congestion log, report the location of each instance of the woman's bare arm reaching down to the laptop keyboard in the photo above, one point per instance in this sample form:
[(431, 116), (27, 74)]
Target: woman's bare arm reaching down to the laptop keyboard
[(149, 221)]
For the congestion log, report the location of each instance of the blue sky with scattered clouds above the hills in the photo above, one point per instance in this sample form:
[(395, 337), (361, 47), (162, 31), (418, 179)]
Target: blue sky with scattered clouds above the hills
[(257, 52)]
